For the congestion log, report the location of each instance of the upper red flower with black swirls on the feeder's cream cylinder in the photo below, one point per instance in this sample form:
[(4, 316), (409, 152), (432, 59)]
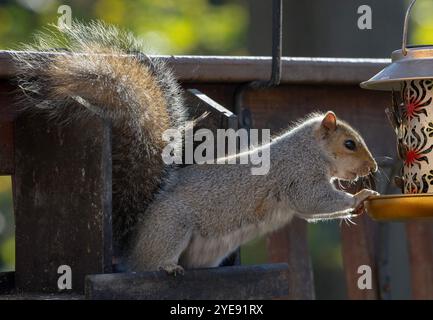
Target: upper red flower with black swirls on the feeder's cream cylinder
[(413, 97)]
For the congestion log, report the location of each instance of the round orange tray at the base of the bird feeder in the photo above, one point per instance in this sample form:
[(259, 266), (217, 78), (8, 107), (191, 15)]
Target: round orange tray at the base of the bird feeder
[(400, 206)]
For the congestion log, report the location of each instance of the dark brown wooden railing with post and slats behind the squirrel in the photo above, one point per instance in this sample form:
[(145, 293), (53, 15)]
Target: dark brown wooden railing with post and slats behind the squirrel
[(31, 149)]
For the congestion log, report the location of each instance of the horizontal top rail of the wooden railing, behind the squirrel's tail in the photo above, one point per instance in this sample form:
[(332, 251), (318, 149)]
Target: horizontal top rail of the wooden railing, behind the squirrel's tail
[(201, 69)]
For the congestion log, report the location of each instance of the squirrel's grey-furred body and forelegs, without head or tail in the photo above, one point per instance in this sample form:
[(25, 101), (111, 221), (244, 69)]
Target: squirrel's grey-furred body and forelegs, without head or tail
[(212, 209)]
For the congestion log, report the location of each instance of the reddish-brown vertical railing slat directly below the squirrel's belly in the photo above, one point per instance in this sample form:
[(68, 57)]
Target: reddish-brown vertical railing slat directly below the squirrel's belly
[(290, 245)]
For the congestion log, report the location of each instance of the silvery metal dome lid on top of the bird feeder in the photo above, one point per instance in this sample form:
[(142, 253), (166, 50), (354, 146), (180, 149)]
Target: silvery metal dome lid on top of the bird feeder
[(417, 63)]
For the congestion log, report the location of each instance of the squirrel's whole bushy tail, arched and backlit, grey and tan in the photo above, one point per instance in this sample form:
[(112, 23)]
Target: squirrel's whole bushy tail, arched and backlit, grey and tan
[(100, 70)]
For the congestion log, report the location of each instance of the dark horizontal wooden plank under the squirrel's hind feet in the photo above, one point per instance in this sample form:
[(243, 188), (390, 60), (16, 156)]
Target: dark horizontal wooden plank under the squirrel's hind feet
[(238, 282)]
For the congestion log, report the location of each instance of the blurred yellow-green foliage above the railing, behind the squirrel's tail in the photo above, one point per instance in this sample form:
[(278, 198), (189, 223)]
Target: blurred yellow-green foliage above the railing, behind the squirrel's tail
[(169, 26)]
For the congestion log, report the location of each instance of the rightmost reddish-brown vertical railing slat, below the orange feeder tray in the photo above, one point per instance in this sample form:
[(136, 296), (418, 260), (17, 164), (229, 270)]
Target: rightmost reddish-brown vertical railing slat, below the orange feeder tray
[(420, 247)]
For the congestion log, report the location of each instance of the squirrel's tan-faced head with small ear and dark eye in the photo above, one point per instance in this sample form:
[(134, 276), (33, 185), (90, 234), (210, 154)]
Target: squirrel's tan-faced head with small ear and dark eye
[(350, 157)]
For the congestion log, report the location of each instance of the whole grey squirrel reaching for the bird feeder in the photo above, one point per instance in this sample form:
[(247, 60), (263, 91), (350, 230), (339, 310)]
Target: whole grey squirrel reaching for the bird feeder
[(170, 218)]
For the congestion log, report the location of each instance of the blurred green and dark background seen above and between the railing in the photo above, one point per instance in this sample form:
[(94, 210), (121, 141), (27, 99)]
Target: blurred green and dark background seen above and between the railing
[(240, 27)]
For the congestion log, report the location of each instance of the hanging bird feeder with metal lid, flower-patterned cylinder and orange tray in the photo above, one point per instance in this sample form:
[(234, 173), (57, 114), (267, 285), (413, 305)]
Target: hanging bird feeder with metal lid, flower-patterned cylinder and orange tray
[(410, 79)]
